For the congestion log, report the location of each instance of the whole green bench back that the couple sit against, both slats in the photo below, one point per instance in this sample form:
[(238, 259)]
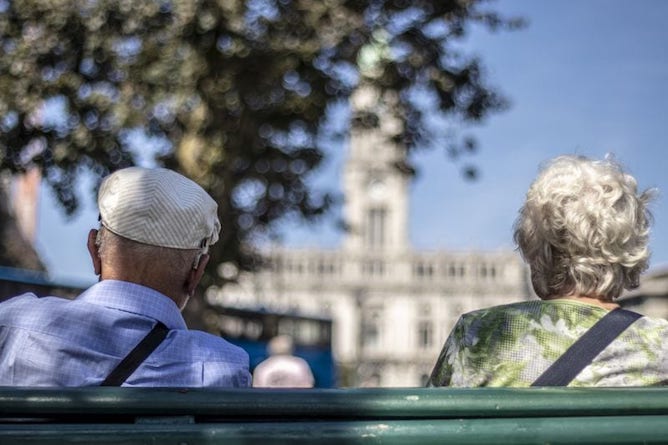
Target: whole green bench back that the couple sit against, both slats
[(340, 416)]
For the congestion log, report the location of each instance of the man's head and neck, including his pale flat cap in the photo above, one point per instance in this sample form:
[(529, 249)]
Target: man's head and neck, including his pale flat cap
[(156, 227)]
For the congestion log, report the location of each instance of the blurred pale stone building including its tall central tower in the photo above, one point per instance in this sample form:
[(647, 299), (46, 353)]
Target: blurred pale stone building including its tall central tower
[(392, 306)]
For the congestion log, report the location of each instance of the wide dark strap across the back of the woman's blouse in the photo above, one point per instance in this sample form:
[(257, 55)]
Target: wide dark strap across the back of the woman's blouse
[(586, 348)]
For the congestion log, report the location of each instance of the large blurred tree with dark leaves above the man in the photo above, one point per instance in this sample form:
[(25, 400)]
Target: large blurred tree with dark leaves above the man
[(234, 94)]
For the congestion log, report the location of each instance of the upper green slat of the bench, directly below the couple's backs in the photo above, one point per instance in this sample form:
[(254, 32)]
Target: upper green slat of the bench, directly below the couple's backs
[(419, 403)]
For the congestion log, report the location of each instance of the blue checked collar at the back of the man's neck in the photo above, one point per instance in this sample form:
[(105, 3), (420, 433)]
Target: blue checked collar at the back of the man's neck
[(136, 299)]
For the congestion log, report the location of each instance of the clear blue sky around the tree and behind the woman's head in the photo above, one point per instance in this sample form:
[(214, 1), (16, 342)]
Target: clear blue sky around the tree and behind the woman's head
[(587, 77)]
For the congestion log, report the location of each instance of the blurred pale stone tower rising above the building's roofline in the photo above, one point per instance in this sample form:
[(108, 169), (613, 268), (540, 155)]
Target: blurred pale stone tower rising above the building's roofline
[(375, 188)]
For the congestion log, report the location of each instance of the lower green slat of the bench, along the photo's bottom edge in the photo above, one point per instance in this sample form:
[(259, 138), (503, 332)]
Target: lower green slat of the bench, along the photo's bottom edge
[(572, 430)]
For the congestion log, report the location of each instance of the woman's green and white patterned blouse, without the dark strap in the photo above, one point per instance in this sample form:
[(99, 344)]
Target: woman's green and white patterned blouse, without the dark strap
[(512, 345)]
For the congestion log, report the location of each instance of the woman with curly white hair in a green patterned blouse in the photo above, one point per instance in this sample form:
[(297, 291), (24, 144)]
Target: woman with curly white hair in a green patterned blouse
[(583, 230)]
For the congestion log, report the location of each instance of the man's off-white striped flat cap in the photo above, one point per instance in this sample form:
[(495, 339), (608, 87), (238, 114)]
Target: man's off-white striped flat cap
[(158, 207)]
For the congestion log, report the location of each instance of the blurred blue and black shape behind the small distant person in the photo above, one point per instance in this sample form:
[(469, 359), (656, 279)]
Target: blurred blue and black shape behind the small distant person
[(252, 329)]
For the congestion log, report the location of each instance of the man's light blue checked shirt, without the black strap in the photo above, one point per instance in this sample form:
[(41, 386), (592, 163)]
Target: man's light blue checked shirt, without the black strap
[(52, 341)]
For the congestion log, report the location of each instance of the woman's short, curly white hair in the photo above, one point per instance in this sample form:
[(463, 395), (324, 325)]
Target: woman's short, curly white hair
[(584, 229)]
